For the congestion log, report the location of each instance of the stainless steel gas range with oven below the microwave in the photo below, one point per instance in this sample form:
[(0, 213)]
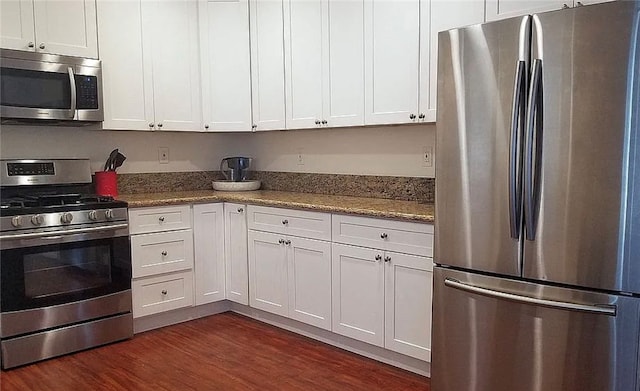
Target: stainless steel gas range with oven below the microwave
[(65, 270)]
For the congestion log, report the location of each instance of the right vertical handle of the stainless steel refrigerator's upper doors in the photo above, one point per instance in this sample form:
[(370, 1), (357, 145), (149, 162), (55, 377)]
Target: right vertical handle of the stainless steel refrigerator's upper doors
[(533, 145)]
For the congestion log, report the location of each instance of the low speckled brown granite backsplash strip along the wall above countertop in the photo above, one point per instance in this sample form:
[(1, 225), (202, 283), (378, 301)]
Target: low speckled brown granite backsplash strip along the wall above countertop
[(388, 187)]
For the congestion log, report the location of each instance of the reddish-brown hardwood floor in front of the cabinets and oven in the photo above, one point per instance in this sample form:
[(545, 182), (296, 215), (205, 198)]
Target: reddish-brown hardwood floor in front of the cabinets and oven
[(220, 352)]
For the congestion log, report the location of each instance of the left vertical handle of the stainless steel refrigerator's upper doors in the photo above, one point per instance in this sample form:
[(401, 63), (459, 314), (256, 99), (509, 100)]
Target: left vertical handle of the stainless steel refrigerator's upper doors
[(515, 150)]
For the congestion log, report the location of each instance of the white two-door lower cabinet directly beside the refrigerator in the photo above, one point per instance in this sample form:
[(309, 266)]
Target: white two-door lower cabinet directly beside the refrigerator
[(383, 298)]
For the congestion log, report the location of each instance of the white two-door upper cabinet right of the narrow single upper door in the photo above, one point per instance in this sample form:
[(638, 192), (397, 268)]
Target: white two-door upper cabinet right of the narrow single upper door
[(324, 63)]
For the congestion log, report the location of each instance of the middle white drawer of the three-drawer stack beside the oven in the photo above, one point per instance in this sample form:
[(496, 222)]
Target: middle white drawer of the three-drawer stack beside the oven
[(161, 252)]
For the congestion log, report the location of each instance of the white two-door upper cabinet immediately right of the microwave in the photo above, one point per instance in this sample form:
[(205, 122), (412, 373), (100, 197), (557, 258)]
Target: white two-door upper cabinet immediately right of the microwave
[(151, 64)]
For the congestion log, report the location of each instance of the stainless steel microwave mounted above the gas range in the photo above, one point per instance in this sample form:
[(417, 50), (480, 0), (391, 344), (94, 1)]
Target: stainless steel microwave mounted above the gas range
[(37, 86)]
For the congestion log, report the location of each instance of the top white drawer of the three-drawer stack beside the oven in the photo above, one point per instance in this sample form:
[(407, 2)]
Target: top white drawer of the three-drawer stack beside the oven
[(156, 219)]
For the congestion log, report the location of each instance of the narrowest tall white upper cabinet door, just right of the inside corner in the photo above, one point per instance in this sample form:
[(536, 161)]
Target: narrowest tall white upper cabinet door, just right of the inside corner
[(267, 64)]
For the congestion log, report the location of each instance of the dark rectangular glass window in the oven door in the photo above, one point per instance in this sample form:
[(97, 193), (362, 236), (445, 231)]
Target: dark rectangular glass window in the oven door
[(64, 271)]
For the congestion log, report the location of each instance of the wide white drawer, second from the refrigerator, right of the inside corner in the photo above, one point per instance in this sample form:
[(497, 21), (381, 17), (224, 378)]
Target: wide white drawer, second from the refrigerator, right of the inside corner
[(313, 225)]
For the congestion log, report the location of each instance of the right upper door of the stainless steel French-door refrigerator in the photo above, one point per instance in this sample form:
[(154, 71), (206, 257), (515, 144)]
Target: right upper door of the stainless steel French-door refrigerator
[(578, 129)]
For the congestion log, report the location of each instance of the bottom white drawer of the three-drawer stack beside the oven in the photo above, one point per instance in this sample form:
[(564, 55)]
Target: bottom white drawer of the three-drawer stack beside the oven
[(163, 293)]
